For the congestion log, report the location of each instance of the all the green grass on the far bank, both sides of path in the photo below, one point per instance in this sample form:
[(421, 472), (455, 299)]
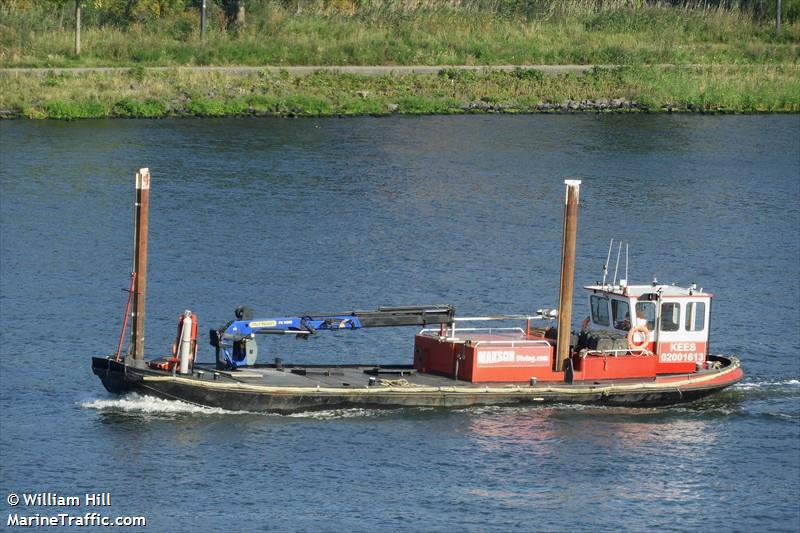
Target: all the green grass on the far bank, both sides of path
[(730, 59)]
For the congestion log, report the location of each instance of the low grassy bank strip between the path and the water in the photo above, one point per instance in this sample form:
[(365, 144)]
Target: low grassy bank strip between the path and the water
[(174, 93)]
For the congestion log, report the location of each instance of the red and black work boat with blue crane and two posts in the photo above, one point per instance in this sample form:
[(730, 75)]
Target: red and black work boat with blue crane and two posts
[(640, 345)]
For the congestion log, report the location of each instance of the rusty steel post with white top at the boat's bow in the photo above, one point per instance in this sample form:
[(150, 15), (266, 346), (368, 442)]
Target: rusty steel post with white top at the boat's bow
[(140, 260)]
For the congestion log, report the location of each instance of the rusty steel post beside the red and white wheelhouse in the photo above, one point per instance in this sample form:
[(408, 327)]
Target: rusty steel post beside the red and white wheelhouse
[(567, 271)]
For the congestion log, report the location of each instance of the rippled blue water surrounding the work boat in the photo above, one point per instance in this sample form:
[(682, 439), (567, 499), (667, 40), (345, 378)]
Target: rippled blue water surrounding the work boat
[(331, 215)]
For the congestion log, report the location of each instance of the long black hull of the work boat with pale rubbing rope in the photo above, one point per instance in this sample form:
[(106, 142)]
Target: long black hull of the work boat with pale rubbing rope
[(237, 396)]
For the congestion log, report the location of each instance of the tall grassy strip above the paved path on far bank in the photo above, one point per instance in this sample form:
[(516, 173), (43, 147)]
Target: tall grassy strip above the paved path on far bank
[(403, 32)]
